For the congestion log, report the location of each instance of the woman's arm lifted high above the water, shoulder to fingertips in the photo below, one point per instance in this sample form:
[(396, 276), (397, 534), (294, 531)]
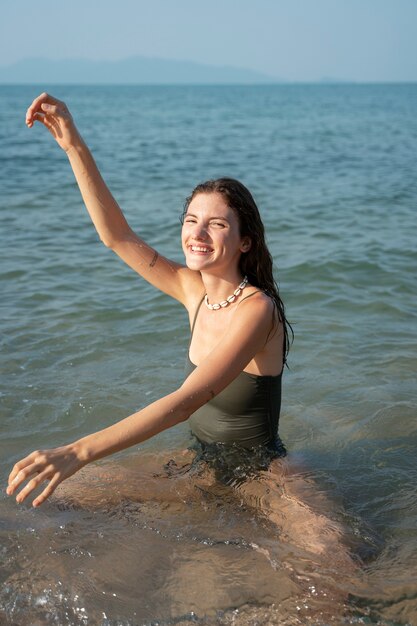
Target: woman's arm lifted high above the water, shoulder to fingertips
[(173, 278)]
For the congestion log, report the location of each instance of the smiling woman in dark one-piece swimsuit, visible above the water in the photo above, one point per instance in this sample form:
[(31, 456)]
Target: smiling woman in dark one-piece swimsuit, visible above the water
[(239, 333)]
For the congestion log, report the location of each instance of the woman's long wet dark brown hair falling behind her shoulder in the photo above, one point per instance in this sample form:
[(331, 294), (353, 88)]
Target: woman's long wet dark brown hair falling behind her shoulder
[(257, 262)]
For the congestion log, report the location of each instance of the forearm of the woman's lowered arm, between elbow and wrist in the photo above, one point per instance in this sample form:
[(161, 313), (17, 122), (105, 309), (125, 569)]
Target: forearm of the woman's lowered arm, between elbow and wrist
[(138, 427)]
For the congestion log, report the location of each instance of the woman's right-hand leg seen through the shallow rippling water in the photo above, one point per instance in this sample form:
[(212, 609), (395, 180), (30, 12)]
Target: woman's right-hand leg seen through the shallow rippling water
[(310, 542)]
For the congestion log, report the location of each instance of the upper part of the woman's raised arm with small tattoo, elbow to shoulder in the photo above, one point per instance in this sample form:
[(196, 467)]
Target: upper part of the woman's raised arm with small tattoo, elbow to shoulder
[(172, 278)]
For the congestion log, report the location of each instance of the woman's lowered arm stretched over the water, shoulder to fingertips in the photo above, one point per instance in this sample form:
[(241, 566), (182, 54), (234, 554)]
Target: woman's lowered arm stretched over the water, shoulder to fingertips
[(242, 341)]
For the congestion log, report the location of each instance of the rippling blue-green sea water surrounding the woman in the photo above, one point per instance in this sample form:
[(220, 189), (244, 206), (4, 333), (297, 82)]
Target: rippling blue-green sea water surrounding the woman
[(85, 342)]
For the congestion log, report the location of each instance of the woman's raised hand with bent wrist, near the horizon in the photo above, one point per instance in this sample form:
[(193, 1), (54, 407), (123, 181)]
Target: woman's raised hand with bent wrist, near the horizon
[(55, 115)]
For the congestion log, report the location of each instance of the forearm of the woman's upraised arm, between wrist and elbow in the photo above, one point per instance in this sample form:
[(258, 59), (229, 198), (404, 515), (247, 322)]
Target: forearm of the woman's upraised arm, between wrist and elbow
[(104, 211)]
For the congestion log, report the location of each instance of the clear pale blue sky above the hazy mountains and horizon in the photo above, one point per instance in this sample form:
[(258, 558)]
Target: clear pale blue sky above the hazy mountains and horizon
[(301, 40)]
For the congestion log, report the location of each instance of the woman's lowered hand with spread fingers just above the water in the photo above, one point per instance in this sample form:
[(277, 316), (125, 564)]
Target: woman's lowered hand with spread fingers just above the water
[(54, 465)]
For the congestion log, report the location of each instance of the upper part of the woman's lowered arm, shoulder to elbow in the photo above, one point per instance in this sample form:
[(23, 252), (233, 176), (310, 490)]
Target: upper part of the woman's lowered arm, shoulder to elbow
[(245, 337)]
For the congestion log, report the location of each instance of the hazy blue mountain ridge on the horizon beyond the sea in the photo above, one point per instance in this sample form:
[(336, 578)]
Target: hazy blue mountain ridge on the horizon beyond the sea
[(134, 70)]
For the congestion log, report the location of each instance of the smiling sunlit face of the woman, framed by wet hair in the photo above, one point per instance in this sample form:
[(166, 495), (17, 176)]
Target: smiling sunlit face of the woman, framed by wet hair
[(211, 238)]
